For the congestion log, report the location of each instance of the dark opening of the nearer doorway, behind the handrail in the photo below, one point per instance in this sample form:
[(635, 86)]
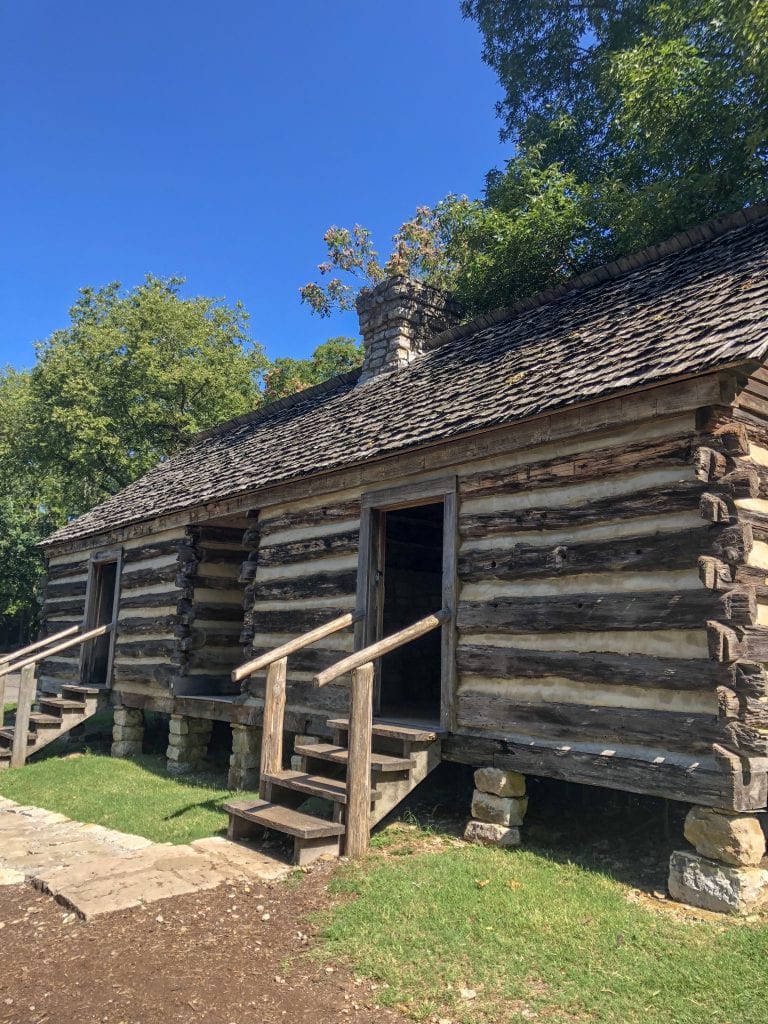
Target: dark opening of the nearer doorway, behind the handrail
[(410, 676)]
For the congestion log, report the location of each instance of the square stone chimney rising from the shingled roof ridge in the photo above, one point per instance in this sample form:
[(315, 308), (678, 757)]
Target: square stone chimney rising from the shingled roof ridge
[(397, 319)]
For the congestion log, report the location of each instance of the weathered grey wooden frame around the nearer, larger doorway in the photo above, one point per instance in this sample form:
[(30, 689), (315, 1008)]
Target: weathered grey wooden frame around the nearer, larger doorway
[(374, 504)]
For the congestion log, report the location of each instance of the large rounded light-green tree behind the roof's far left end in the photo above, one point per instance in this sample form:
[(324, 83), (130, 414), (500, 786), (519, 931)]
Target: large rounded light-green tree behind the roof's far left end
[(131, 381)]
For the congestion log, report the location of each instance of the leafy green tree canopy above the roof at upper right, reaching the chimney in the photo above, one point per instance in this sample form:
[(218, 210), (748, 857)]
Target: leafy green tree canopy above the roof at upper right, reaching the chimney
[(631, 120)]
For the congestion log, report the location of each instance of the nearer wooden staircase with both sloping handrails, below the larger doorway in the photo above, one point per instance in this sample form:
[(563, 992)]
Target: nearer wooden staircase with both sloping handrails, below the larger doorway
[(368, 770)]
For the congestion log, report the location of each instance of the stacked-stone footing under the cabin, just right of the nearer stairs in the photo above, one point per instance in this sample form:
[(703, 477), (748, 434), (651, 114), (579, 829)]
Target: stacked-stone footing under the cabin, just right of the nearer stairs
[(499, 806)]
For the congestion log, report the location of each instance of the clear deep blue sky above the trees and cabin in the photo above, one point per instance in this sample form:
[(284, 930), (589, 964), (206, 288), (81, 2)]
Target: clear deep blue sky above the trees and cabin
[(218, 141)]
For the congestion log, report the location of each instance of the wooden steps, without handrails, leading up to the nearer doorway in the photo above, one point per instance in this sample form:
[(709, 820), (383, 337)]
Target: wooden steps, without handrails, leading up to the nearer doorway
[(402, 757)]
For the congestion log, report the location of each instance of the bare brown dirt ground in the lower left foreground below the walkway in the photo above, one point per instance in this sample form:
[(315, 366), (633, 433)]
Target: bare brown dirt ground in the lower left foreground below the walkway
[(232, 956)]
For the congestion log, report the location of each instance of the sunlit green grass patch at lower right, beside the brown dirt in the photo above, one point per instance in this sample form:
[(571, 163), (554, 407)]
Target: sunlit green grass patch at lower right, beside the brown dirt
[(538, 940)]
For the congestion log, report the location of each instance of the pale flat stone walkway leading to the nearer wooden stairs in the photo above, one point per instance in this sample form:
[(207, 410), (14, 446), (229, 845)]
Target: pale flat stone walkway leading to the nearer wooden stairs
[(96, 871)]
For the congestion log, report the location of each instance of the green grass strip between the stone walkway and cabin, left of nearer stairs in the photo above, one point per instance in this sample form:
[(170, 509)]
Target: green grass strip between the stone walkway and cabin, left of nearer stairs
[(134, 796)]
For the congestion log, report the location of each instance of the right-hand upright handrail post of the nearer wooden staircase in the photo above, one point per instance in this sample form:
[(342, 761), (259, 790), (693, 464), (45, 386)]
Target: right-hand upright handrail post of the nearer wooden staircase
[(359, 763)]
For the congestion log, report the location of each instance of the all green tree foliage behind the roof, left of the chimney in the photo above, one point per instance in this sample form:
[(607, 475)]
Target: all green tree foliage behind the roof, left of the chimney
[(132, 379)]
